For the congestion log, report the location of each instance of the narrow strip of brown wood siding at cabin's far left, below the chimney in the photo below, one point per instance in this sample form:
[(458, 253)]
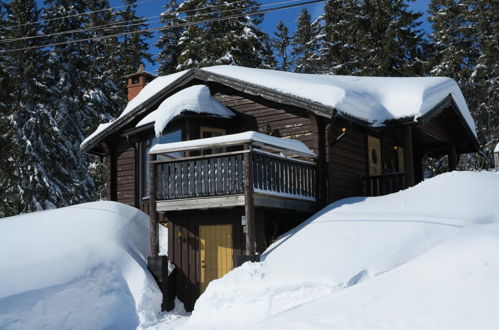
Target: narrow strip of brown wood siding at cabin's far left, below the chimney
[(125, 176)]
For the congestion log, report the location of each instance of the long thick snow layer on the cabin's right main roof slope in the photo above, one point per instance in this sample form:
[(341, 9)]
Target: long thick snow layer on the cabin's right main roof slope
[(372, 99)]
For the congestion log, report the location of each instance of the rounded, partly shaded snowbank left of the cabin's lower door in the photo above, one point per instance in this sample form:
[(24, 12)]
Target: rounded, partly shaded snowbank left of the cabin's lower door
[(77, 267)]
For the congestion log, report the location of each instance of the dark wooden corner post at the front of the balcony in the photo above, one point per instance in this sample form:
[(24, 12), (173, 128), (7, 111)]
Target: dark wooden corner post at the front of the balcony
[(249, 206)]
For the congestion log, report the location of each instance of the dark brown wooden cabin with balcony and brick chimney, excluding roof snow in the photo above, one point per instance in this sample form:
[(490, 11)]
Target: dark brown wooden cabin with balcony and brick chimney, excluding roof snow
[(354, 159)]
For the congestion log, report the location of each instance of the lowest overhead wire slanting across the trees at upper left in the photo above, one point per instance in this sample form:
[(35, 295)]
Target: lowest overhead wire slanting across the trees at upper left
[(186, 24)]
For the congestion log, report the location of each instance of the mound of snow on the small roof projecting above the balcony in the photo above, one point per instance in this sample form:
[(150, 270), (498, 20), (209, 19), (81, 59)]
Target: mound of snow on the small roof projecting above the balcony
[(195, 99)]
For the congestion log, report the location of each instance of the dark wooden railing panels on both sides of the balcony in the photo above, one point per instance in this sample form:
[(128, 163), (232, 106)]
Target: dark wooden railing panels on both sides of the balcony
[(223, 174)]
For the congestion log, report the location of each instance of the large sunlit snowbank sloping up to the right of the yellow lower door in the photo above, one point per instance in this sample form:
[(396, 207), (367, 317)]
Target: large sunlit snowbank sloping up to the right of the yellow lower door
[(422, 258)]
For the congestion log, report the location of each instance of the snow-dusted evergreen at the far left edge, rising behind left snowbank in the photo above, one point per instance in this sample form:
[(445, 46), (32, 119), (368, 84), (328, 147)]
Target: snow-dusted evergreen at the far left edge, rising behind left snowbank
[(36, 159)]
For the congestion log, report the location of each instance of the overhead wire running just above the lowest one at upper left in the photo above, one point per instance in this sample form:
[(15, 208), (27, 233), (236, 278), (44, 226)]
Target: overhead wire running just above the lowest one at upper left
[(140, 21)]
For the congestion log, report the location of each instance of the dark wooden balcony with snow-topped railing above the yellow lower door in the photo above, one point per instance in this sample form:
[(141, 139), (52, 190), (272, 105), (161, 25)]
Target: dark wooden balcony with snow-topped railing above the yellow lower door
[(226, 179)]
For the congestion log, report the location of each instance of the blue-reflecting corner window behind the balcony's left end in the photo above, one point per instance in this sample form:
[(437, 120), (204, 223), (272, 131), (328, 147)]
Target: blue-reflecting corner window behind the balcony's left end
[(174, 135)]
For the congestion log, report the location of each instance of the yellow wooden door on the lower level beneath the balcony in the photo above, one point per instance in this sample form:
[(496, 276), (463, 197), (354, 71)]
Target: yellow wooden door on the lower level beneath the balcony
[(215, 252)]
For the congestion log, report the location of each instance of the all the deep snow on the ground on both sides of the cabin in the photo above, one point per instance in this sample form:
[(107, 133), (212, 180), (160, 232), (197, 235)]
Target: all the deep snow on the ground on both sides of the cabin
[(423, 258)]
